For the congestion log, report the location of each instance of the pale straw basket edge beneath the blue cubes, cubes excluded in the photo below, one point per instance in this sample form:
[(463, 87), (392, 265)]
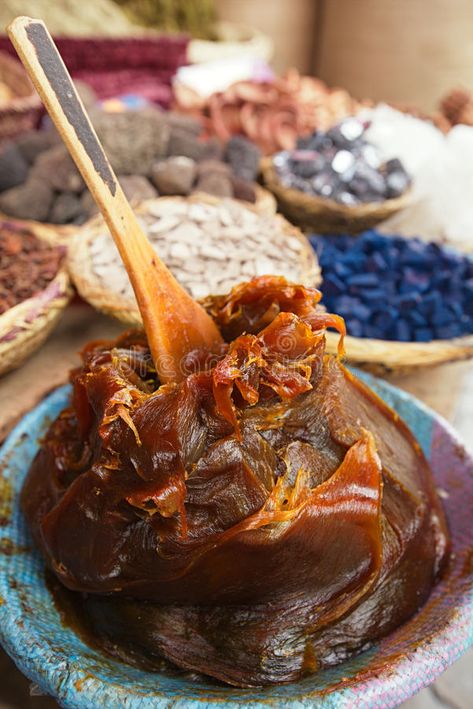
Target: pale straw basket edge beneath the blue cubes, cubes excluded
[(386, 356)]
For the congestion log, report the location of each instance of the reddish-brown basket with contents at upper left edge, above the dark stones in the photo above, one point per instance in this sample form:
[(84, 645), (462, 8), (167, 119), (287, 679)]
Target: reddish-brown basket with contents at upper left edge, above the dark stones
[(23, 111)]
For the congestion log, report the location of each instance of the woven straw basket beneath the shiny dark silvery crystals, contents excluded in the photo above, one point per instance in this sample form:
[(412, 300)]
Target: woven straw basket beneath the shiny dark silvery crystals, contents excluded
[(325, 215)]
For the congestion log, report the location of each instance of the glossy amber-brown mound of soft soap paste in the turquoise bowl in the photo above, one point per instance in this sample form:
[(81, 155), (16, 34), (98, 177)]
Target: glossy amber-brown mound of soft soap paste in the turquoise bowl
[(265, 518)]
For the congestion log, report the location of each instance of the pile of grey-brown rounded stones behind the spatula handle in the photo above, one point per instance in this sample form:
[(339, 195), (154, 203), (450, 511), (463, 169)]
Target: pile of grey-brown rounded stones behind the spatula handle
[(152, 152)]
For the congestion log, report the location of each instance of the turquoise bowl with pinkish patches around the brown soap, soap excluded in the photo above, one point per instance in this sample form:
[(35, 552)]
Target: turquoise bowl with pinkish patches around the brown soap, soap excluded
[(61, 664)]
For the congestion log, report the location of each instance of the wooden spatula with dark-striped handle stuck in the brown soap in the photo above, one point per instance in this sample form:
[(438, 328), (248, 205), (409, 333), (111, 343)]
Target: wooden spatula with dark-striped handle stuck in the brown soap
[(174, 323)]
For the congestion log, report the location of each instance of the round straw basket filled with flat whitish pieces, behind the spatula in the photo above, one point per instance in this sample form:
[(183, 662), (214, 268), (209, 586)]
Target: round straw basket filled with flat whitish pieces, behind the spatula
[(208, 244)]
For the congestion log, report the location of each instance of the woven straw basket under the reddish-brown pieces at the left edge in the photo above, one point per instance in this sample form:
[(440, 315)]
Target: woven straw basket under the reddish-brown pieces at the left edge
[(25, 327)]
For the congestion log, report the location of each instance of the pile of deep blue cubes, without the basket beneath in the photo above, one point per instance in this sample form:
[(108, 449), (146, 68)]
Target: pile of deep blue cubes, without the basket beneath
[(391, 288)]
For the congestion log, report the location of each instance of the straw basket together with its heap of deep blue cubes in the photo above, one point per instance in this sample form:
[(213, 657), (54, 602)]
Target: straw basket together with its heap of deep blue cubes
[(407, 303)]
